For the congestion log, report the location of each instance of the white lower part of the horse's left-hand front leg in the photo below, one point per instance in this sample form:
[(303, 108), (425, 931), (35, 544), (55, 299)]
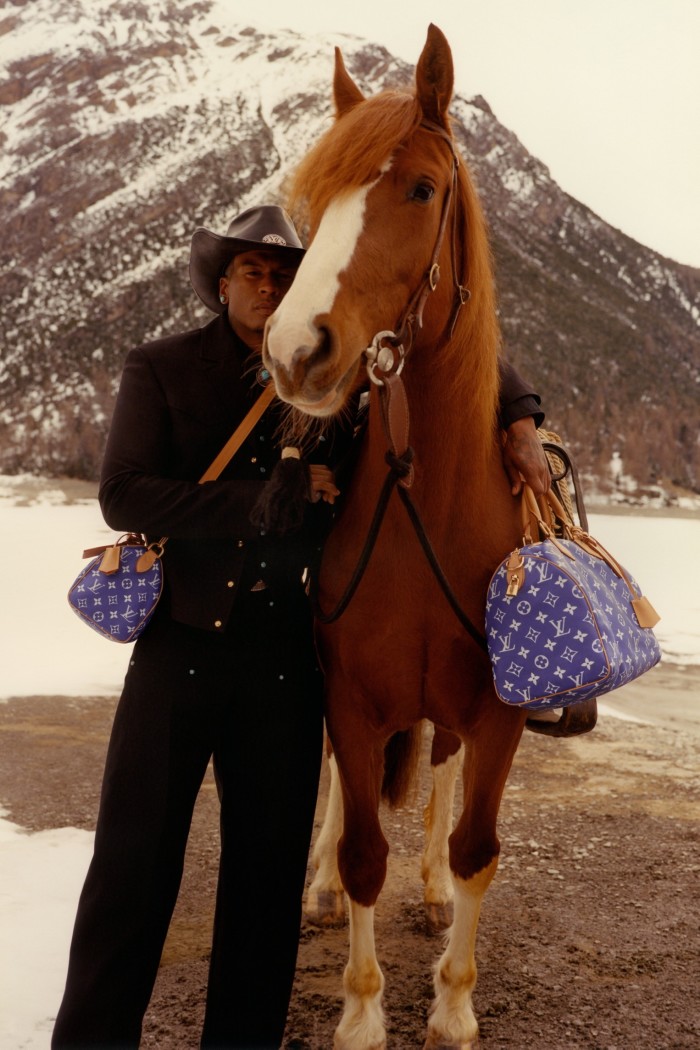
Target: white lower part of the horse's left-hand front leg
[(363, 1024)]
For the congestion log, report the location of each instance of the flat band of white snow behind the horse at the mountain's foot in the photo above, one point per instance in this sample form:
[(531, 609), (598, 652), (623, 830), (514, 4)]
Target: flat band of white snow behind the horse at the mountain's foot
[(46, 526)]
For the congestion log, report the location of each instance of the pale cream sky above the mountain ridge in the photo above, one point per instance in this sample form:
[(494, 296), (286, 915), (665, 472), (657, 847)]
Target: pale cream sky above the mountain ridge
[(606, 93)]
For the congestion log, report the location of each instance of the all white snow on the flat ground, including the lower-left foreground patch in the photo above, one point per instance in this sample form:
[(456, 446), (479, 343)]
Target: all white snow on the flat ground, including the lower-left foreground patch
[(49, 653)]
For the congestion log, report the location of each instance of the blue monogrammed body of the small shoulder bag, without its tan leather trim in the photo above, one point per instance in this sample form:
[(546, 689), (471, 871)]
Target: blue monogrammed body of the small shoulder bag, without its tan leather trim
[(120, 605)]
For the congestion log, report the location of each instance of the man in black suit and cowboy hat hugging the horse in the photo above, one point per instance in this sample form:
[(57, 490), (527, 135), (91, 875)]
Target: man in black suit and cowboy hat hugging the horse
[(226, 668)]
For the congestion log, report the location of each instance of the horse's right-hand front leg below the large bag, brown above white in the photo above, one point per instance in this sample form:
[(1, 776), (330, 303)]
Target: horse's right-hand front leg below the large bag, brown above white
[(474, 850)]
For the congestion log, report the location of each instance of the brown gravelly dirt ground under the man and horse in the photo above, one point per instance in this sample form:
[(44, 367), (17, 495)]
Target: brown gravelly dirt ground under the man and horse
[(590, 932)]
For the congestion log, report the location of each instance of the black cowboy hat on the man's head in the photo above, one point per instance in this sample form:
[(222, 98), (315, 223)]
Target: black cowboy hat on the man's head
[(268, 226)]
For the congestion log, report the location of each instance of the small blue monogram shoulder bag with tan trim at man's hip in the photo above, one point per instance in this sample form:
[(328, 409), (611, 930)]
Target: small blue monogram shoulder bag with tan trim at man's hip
[(118, 592)]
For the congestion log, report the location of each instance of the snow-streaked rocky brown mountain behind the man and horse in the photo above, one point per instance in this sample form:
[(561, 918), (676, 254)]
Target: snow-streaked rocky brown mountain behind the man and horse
[(124, 125)]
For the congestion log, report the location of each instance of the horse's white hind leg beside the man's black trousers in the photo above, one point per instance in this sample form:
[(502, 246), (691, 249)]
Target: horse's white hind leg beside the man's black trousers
[(326, 900)]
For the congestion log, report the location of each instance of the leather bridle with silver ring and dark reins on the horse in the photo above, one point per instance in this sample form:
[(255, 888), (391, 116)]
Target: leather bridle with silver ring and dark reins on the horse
[(386, 360)]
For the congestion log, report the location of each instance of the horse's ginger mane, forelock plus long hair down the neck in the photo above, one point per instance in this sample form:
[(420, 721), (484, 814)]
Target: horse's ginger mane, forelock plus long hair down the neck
[(351, 154)]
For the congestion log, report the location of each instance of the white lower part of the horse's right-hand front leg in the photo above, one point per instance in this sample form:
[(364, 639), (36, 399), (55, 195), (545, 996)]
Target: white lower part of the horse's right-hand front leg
[(453, 1022)]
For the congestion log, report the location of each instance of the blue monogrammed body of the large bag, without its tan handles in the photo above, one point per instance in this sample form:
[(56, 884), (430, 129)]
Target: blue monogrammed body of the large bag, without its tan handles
[(569, 635)]
